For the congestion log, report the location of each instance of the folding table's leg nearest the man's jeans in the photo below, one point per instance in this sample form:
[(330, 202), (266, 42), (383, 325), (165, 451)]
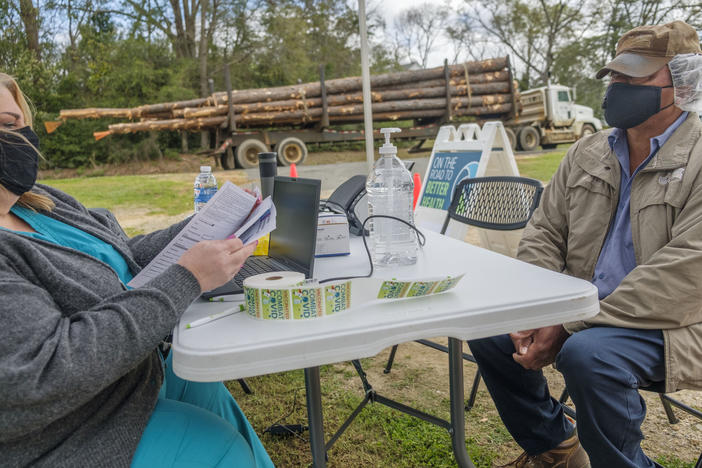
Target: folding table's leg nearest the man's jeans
[(458, 422)]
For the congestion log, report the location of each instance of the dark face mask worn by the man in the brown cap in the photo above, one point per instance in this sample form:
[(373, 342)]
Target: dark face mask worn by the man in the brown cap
[(628, 105)]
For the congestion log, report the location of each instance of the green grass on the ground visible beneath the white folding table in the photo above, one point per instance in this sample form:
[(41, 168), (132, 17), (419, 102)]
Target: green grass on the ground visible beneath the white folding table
[(379, 436)]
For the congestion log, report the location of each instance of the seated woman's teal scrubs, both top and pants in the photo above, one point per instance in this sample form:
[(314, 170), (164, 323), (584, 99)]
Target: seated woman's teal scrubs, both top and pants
[(194, 424)]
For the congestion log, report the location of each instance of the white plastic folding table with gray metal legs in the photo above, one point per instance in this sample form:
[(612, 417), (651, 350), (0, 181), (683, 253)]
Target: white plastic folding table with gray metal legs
[(497, 295)]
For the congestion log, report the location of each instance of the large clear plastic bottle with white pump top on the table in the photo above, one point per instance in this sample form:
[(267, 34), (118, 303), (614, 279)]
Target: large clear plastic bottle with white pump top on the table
[(390, 191)]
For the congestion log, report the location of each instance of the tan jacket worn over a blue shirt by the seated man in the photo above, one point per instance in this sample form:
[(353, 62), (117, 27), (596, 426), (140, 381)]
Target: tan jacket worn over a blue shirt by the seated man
[(664, 291)]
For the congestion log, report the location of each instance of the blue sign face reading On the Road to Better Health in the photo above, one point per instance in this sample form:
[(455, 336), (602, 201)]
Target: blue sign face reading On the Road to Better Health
[(446, 171)]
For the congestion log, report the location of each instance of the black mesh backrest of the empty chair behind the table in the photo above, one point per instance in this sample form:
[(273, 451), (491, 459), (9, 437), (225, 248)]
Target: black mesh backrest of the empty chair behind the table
[(503, 203)]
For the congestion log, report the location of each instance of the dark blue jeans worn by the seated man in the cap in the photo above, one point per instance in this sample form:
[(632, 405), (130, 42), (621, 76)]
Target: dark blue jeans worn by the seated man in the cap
[(603, 369)]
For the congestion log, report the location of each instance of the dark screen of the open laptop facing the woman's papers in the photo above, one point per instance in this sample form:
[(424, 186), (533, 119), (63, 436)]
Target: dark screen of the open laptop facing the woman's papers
[(294, 239)]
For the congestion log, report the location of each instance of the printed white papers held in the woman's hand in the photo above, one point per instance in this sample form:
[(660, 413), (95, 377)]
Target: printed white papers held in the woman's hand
[(227, 214)]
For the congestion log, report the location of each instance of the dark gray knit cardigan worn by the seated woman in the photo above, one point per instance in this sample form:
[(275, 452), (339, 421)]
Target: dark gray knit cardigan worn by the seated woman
[(79, 370)]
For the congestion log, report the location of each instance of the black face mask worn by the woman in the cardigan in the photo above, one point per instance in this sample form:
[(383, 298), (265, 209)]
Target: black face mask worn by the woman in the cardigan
[(19, 162)]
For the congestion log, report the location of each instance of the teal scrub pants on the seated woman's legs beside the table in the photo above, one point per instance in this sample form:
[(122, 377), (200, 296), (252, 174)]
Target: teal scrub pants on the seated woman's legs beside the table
[(198, 425)]
